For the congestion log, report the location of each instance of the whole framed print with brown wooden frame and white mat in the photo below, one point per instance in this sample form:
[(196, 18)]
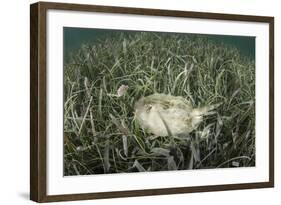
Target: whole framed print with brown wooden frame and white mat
[(133, 102)]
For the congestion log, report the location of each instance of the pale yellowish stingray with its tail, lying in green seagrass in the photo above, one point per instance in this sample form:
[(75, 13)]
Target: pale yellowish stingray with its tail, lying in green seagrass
[(165, 115)]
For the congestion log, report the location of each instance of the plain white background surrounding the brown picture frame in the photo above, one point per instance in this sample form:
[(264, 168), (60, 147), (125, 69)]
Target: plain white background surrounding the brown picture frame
[(14, 103)]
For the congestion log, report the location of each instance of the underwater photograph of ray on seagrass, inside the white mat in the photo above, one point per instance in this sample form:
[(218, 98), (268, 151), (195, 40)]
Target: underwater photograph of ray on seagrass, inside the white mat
[(143, 101)]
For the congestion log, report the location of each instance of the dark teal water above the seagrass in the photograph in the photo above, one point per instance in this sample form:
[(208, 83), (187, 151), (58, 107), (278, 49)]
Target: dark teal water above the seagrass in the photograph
[(73, 38)]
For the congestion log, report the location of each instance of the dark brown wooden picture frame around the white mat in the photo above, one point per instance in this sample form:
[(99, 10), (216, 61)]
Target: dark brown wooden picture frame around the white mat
[(38, 103)]
